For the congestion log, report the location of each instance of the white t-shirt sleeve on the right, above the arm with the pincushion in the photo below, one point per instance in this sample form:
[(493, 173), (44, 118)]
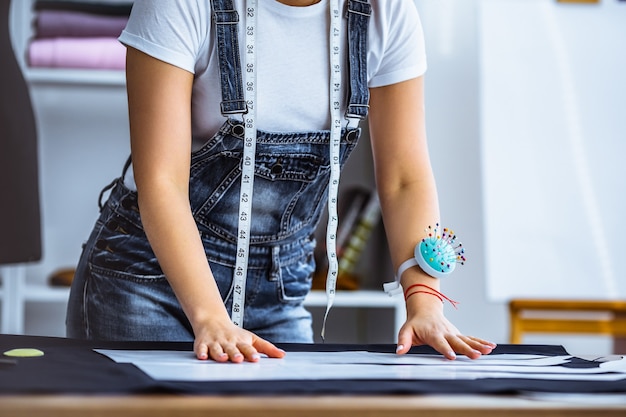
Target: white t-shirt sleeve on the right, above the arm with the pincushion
[(397, 44)]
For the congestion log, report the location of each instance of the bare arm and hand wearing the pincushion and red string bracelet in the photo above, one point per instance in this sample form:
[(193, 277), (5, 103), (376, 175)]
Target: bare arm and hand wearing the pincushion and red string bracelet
[(409, 203)]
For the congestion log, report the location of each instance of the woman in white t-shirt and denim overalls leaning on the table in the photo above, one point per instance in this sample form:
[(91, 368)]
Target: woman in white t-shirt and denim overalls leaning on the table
[(167, 274)]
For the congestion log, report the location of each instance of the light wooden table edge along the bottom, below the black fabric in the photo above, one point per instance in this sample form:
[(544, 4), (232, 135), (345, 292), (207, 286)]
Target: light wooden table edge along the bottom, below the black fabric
[(307, 406)]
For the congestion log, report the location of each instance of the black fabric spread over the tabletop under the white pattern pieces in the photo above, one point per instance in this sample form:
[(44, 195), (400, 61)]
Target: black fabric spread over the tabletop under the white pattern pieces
[(71, 366)]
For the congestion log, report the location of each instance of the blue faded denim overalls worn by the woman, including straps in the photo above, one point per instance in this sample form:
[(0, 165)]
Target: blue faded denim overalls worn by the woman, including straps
[(119, 291)]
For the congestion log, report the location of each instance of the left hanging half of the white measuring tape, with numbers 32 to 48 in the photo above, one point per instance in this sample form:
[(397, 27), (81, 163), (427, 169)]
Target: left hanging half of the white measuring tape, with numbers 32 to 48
[(247, 168)]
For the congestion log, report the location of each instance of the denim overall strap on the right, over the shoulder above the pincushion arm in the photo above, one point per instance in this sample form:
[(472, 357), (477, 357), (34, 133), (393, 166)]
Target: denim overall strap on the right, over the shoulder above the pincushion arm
[(358, 14)]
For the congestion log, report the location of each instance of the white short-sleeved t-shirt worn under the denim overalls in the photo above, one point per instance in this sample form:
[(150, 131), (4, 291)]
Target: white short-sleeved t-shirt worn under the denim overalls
[(292, 56)]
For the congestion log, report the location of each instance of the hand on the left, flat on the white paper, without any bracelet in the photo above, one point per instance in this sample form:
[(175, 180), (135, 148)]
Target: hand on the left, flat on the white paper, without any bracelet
[(223, 341)]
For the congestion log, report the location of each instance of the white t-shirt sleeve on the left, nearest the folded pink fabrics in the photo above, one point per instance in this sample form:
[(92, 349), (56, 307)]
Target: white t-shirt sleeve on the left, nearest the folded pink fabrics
[(171, 31)]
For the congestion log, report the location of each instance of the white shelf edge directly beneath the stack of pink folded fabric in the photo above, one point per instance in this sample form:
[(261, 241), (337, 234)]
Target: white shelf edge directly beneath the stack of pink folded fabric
[(65, 76)]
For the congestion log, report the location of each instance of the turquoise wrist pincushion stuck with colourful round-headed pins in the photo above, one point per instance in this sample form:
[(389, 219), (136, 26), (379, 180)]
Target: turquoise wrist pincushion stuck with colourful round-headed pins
[(439, 253)]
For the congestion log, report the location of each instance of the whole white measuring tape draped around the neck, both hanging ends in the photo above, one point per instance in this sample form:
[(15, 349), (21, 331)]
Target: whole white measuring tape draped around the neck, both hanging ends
[(248, 163)]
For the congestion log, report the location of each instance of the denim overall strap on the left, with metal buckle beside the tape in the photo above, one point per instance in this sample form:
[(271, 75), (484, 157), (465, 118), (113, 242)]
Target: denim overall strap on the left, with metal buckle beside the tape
[(226, 21)]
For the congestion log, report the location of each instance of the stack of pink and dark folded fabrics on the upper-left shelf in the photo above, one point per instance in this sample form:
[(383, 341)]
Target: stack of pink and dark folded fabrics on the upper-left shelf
[(79, 34)]
